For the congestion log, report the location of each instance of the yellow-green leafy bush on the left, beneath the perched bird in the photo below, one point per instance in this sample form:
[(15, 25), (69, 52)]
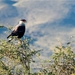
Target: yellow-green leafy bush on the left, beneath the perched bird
[(20, 53)]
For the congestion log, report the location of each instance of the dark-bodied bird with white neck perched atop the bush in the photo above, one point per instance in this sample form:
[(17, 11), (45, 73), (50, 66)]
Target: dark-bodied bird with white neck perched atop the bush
[(19, 29)]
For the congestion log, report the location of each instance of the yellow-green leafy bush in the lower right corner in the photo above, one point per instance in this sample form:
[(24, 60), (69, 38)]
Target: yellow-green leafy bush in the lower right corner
[(62, 62)]
